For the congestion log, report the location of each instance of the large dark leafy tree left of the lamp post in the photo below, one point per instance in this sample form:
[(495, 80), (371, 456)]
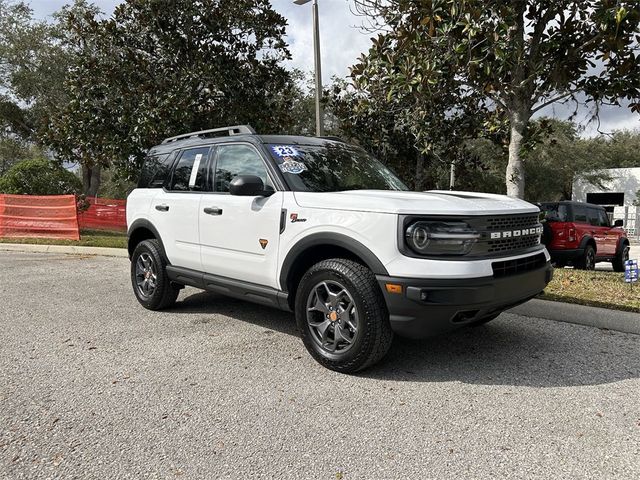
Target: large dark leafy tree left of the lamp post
[(161, 67)]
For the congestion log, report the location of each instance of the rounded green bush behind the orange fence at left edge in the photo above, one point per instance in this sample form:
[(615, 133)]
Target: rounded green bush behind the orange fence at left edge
[(39, 177)]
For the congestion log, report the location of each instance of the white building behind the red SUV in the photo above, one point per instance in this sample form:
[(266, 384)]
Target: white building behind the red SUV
[(617, 195)]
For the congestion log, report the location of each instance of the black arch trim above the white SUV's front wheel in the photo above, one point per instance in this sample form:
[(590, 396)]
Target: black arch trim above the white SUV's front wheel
[(330, 239)]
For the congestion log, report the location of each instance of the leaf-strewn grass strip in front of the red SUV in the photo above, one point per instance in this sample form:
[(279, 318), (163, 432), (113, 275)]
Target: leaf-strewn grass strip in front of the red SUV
[(597, 289)]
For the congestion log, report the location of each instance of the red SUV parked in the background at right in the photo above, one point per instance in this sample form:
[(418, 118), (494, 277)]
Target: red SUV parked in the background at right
[(580, 234)]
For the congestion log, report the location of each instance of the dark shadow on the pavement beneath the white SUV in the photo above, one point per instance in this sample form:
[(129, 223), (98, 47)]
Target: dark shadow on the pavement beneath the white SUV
[(511, 350)]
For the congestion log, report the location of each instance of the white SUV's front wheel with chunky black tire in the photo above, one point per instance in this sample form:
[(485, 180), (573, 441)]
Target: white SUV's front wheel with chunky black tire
[(342, 316)]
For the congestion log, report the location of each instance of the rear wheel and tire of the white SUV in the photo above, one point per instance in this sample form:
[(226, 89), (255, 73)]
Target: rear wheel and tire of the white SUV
[(149, 279)]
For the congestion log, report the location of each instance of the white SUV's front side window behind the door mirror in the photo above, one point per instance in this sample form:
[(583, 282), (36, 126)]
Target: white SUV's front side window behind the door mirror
[(234, 160)]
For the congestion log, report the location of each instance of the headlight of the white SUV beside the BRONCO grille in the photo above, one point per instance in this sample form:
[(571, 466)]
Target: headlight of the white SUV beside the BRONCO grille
[(441, 238)]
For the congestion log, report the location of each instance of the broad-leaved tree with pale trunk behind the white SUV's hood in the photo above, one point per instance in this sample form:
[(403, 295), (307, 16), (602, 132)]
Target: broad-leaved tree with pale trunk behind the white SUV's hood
[(513, 58)]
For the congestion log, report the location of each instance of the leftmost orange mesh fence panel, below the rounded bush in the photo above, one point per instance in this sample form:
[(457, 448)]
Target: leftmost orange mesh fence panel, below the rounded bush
[(51, 216)]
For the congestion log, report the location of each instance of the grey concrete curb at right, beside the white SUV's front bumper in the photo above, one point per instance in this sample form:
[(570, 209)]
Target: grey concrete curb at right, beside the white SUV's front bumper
[(627, 322)]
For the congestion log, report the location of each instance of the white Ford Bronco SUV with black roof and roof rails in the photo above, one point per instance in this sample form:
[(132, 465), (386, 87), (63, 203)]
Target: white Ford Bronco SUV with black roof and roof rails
[(320, 228)]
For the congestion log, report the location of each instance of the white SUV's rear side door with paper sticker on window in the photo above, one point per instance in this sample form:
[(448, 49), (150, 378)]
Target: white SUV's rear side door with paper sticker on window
[(174, 210)]
